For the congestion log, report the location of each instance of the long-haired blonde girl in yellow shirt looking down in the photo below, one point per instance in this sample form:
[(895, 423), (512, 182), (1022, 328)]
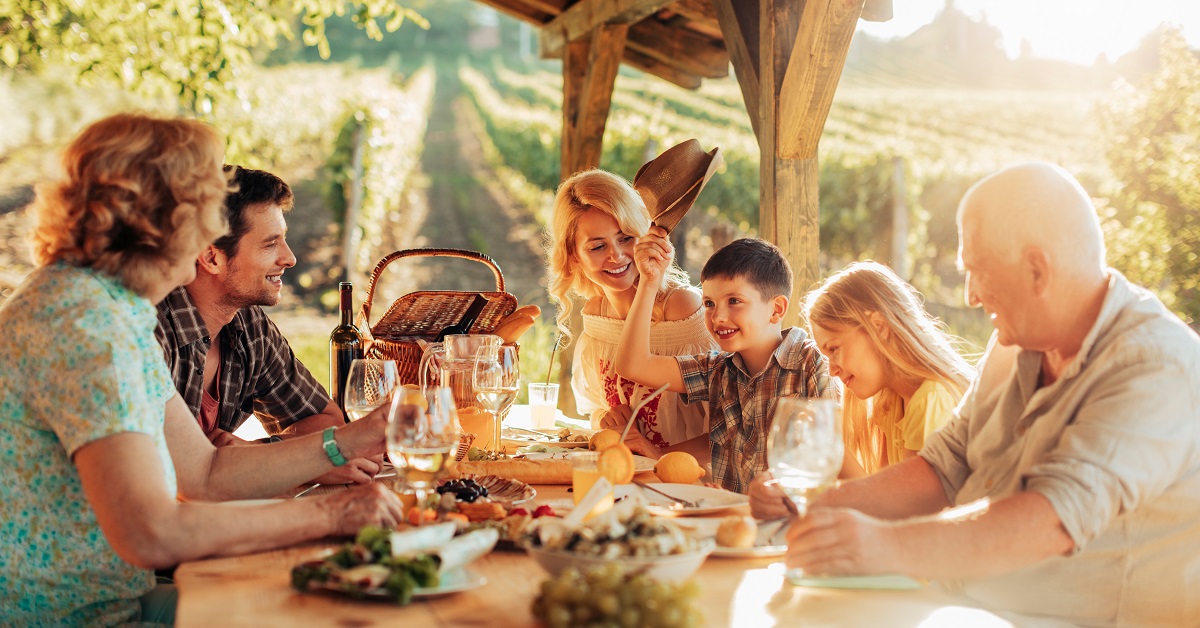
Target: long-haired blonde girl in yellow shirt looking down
[(901, 372)]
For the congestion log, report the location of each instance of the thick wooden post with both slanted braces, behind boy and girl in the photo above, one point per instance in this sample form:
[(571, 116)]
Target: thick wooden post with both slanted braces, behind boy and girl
[(789, 69)]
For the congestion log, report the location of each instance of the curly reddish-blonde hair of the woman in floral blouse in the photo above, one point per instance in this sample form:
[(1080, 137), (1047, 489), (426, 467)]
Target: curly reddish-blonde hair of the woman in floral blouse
[(137, 194)]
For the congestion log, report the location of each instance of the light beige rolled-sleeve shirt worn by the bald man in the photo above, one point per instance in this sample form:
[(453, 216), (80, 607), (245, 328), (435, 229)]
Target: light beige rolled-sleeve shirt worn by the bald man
[(1114, 445)]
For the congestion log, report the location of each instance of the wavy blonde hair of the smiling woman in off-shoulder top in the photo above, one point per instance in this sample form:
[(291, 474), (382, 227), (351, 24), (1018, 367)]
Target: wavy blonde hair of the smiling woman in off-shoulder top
[(602, 192)]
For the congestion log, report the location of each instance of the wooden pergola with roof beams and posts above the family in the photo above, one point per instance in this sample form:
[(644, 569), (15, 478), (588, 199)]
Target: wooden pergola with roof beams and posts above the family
[(788, 57)]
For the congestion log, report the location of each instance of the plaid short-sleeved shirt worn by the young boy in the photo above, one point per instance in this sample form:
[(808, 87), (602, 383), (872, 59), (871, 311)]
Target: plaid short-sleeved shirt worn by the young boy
[(740, 404)]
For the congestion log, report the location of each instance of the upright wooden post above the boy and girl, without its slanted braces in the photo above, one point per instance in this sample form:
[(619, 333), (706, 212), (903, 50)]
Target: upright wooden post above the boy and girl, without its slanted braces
[(789, 211)]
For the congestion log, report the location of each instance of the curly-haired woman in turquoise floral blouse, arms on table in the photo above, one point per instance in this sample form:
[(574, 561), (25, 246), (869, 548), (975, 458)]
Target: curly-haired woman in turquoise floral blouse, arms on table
[(106, 475)]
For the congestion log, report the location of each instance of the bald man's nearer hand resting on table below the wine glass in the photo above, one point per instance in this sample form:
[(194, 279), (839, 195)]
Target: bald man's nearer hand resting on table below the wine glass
[(843, 542)]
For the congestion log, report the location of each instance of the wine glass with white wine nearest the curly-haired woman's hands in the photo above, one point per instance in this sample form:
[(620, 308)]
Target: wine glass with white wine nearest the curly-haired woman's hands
[(422, 438)]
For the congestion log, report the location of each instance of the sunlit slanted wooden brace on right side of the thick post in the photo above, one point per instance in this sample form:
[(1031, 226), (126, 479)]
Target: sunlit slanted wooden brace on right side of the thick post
[(813, 70)]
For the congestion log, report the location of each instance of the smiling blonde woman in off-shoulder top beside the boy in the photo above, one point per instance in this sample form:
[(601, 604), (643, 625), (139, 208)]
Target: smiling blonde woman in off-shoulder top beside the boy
[(598, 219)]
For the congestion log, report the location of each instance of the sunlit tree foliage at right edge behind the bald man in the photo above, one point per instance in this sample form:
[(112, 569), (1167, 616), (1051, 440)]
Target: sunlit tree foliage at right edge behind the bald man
[(1154, 149)]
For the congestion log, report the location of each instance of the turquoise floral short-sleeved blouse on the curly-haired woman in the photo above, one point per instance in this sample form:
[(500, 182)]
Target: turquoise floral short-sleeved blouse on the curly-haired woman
[(79, 363)]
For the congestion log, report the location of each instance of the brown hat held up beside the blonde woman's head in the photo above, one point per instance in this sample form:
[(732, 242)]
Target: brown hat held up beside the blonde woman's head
[(670, 183)]
